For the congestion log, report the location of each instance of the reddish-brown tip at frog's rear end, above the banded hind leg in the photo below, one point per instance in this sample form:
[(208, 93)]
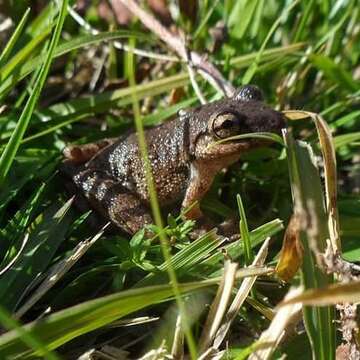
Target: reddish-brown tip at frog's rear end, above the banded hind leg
[(80, 154)]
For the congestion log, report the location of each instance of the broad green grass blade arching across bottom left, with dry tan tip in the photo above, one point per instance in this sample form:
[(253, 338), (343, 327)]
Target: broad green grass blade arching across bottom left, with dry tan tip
[(63, 326)]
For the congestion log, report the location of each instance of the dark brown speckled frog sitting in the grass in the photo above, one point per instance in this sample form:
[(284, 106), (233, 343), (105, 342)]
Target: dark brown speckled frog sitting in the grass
[(184, 153)]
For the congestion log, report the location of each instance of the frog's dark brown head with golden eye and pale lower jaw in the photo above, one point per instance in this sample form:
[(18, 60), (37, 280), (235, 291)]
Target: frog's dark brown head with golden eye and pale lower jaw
[(243, 113)]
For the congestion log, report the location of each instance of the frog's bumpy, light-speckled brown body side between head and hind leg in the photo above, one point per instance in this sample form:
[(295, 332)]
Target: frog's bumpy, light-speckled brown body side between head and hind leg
[(168, 154)]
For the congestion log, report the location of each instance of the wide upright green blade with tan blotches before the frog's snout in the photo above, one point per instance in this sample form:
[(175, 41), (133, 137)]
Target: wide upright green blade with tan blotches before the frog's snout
[(309, 205)]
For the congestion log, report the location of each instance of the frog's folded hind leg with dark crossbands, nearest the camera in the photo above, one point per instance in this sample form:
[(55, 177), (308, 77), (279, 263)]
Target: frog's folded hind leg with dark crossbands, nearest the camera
[(113, 200)]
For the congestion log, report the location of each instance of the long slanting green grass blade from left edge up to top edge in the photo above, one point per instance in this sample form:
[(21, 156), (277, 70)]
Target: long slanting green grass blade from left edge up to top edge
[(7, 157)]
